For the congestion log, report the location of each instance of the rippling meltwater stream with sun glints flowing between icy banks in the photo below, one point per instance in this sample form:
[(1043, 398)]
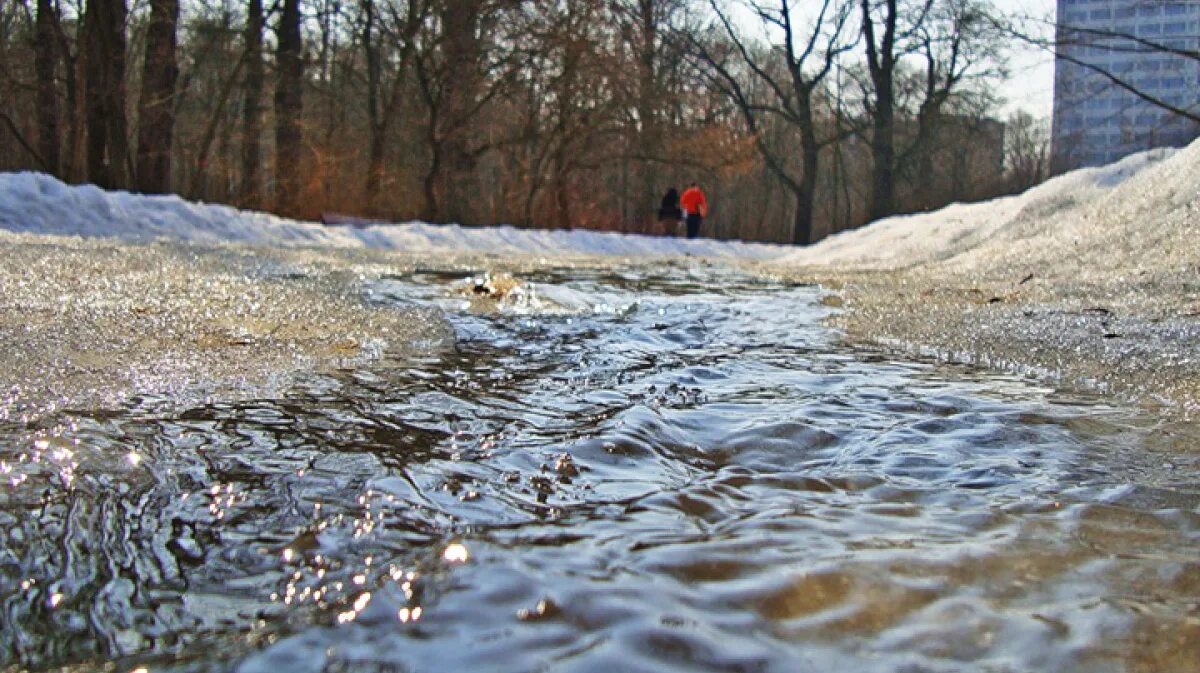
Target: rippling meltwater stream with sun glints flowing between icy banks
[(631, 470)]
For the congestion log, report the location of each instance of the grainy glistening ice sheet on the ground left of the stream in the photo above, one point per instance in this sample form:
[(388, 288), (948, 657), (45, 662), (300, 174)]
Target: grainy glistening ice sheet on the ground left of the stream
[(91, 323)]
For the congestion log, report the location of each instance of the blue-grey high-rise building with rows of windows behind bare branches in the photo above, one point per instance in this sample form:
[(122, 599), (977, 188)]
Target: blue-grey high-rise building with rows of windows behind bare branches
[(1106, 44)]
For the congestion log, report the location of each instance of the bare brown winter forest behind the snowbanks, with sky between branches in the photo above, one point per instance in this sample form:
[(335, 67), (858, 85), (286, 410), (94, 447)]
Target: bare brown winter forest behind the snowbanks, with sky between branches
[(799, 118)]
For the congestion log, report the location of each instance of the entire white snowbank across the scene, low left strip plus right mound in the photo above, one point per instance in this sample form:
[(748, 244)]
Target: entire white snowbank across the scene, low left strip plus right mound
[(1081, 212)]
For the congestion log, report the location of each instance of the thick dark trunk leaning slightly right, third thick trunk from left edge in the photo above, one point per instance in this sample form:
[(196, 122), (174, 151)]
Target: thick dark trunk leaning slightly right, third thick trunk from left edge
[(157, 110)]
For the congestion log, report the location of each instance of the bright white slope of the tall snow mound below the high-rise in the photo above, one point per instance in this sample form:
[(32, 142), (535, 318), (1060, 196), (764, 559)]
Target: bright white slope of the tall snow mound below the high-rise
[(913, 241)]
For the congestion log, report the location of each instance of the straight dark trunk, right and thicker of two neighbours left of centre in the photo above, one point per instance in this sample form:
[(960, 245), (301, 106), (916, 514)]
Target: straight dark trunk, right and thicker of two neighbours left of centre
[(289, 111)]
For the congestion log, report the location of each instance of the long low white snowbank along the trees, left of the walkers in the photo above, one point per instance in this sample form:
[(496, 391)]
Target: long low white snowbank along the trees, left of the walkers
[(41, 205)]
